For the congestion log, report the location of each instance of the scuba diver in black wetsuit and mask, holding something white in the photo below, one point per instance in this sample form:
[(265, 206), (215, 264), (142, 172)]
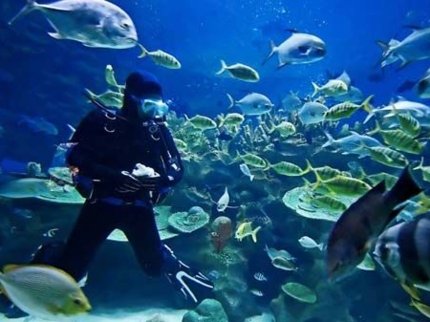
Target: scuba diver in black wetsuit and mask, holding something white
[(124, 164)]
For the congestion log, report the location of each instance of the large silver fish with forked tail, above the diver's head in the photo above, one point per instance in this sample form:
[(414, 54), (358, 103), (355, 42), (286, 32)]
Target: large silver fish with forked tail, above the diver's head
[(94, 23)]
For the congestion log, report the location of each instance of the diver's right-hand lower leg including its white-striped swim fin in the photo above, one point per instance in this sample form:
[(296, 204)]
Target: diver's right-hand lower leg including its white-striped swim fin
[(156, 258)]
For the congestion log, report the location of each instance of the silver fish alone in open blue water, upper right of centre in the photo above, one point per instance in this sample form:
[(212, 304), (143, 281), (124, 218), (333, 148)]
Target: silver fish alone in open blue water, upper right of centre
[(300, 48)]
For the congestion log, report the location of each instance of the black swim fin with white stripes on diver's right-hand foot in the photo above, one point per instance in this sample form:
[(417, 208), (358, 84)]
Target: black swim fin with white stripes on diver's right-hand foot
[(189, 282)]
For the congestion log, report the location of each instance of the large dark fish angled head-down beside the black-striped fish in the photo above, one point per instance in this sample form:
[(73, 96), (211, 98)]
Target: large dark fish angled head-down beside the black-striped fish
[(357, 228)]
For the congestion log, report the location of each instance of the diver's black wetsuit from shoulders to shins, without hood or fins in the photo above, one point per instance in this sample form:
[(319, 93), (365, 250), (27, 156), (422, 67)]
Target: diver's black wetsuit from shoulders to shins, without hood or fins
[(103, 148)]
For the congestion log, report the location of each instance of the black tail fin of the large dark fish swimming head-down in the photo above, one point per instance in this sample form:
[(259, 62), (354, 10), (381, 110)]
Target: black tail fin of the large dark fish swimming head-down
[(404, 189)]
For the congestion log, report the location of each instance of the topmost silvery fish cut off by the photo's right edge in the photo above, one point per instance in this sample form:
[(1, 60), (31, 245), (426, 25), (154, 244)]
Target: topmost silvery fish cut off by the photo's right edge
[(414, 47)]
